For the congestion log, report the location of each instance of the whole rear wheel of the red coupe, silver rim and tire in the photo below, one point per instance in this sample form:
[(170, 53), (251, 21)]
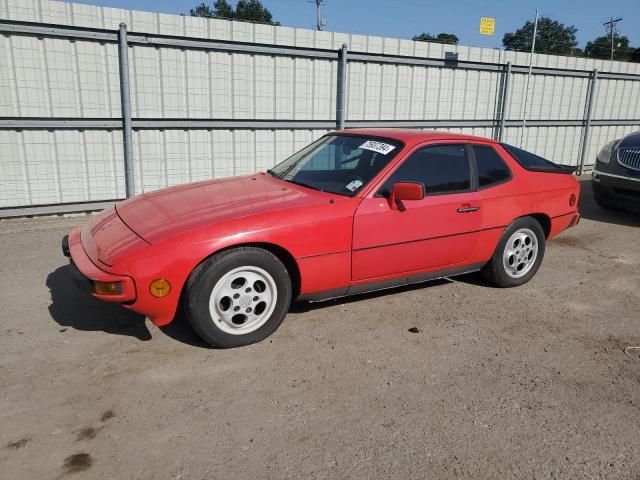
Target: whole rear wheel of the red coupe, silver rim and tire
[(519, 254)]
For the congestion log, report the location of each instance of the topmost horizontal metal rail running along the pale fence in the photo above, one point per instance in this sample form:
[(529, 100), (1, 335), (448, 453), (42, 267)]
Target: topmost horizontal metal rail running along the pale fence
[(40, 30)]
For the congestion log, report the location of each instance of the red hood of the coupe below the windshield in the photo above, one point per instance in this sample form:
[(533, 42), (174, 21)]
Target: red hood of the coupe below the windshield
[(171, 211)]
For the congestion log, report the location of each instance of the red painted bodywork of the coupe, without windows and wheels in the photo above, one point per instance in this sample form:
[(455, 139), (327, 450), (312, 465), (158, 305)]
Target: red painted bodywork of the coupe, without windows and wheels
[(337, 243)]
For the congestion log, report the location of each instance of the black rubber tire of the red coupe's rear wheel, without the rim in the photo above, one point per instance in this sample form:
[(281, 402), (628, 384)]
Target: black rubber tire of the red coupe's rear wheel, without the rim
[(495, 271)]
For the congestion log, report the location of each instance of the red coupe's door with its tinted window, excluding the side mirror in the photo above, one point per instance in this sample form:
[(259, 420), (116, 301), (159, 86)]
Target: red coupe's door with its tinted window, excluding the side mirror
[(439, 231)]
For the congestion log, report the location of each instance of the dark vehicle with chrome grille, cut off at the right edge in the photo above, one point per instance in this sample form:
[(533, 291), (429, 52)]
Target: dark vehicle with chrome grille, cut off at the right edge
[(616, 176)]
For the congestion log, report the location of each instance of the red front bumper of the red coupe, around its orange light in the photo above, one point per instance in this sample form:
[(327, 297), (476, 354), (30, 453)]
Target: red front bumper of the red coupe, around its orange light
[(85, 273)]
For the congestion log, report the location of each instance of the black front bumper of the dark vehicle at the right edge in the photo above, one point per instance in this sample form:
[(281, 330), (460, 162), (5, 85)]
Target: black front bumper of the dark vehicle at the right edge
[(616, 190)]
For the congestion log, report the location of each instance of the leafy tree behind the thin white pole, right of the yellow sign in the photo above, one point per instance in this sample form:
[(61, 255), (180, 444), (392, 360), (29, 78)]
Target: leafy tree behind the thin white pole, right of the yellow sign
[(552, 37)]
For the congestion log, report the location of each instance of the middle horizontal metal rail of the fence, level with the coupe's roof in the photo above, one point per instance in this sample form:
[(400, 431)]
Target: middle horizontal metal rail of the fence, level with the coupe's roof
[(25, 123)]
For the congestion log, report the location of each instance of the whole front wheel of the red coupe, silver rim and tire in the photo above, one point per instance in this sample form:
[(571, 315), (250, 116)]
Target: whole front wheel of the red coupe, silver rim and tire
[(238, 297)]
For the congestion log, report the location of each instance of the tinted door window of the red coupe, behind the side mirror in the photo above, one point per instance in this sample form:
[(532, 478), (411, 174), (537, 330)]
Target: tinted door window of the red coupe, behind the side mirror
[(441, 169)]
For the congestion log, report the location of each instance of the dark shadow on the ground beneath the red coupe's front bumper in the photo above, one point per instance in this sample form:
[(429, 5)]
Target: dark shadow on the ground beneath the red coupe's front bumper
[(72, 308)]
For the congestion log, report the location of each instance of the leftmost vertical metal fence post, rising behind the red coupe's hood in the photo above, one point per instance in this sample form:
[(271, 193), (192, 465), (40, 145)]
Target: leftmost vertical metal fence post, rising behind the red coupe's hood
[(125, 103)]
